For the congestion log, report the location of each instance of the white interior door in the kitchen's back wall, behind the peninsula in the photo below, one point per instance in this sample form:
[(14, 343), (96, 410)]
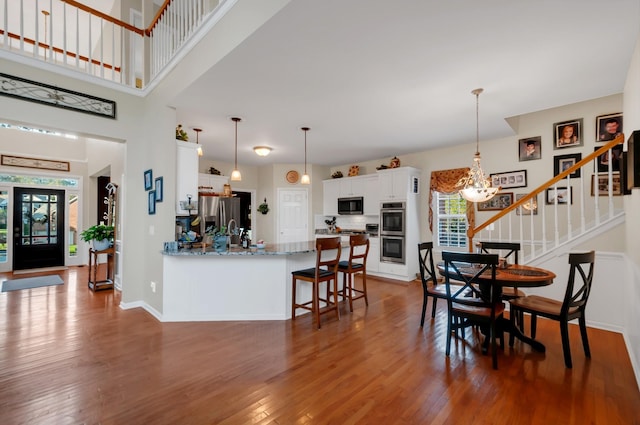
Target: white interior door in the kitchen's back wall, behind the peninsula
[(293, 215)]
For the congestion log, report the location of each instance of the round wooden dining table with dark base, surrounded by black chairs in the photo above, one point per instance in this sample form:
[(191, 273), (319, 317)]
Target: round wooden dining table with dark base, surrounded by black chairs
[(510, 275)]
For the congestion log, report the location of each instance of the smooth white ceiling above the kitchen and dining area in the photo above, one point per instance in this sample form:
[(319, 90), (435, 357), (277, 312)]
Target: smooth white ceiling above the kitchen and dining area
[(374, 78)]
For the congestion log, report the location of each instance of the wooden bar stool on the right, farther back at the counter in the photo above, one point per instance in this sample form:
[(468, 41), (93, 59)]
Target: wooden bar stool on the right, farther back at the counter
[(358, 251)]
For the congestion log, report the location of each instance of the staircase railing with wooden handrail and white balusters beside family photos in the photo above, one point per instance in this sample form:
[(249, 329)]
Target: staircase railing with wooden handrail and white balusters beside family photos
[(562, 209)]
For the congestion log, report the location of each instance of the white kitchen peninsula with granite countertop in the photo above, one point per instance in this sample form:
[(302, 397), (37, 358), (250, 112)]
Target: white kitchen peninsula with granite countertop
[(201, 284)]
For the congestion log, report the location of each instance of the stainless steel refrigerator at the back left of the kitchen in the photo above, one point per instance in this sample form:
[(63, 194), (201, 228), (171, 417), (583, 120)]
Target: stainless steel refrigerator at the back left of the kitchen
[(219, 211)]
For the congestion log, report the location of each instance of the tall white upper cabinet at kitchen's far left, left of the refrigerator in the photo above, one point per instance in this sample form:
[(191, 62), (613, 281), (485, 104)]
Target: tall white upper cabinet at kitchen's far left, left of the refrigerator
[(186, 174)]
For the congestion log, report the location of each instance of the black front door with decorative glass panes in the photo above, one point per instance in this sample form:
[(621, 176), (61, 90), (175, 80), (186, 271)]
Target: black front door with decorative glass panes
[(38, 228)]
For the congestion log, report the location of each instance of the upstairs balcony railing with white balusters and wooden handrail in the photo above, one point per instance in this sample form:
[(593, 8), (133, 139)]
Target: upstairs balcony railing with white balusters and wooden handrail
[(72, 35)]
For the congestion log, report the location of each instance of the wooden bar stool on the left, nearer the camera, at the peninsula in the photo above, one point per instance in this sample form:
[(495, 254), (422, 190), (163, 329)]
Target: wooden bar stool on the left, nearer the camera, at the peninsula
[(326, 270)]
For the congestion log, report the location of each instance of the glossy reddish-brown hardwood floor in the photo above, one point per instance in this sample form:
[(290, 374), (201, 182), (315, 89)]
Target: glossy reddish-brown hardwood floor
[(71, 356)]
